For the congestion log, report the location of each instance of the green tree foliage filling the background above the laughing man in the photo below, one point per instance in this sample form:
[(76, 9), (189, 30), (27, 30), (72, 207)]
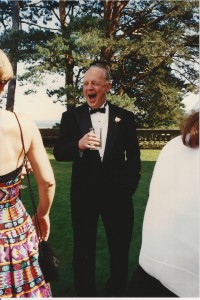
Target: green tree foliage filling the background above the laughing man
[(150, 47)]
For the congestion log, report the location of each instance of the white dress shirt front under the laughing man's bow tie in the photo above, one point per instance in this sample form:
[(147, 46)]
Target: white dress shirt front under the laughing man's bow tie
[(100, 120)]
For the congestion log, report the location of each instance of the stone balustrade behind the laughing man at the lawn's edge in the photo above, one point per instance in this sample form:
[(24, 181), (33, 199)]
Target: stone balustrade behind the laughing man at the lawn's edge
[(148, 138)]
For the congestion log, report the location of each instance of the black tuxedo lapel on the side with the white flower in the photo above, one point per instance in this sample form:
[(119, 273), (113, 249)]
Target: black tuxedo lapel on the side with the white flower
[(113, 129)]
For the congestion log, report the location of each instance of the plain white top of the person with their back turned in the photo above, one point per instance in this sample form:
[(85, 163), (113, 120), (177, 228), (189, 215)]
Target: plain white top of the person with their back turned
[(170, 238)]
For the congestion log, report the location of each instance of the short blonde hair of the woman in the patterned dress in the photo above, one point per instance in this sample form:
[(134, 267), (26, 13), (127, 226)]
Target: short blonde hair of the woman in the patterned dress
[(6, 70)]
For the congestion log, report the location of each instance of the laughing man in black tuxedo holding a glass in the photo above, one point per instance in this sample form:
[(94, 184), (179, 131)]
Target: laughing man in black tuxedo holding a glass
[(105, 175)]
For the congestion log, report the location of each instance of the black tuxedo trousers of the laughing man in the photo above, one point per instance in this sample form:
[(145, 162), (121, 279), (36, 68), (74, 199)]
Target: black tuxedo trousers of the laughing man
[(117, 219)]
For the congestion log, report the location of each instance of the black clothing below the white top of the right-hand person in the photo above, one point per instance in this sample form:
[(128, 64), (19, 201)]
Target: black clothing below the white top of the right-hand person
[(144, 285)]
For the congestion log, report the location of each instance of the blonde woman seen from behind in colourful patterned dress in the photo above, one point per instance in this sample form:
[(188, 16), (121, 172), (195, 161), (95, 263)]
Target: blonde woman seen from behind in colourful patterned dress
[(20, 274)]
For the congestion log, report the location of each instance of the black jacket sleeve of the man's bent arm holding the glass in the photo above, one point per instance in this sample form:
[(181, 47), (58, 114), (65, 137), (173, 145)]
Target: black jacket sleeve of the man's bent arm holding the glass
[(66, 147)]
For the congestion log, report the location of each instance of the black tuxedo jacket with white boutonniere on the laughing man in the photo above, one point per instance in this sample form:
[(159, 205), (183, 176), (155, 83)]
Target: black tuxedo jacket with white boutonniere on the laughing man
[(117, 176)]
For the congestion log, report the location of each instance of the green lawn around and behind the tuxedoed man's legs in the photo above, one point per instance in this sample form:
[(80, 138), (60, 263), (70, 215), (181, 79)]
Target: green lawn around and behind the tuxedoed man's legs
[(61, 237)]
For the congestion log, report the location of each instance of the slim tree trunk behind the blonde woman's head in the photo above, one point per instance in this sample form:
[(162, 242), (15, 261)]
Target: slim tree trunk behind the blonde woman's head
[(12, 84)]
